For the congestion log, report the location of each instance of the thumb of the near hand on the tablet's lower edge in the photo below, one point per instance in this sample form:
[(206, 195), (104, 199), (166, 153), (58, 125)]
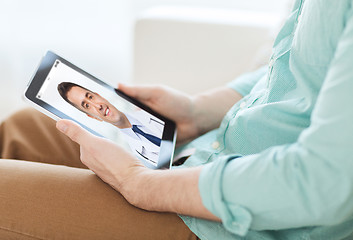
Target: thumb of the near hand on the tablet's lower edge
[(74, 131)]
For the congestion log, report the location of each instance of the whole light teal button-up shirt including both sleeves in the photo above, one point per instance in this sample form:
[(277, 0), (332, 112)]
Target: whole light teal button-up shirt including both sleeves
[(280, 166)]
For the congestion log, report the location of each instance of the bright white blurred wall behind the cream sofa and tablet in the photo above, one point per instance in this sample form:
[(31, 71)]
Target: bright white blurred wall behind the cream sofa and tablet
[(94, 34)]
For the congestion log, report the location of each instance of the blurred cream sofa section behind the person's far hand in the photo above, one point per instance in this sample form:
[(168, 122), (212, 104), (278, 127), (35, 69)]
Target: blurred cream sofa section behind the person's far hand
[(194, 49)]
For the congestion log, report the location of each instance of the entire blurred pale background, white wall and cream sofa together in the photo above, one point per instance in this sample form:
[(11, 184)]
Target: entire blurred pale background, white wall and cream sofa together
[(136, 41)]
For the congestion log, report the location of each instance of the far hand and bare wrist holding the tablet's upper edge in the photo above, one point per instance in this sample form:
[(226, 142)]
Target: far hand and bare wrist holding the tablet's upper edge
[(193, 115)]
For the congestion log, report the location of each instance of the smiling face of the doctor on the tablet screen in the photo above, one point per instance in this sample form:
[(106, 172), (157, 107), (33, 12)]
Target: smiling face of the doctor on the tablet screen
[(94, 105)]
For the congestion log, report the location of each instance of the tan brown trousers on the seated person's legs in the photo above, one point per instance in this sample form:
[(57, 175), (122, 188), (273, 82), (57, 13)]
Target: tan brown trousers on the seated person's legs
[(52, 195)]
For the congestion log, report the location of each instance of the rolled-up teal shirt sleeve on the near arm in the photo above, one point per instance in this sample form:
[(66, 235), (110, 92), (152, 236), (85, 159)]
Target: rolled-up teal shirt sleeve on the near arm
[(307, 183)]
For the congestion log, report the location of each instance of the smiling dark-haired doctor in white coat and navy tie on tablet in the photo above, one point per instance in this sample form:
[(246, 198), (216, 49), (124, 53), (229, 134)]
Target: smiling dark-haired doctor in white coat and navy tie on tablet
[(143, 132)]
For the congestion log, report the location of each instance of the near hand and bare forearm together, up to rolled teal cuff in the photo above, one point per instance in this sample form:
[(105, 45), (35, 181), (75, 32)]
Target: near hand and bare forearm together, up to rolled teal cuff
[(155, 190)]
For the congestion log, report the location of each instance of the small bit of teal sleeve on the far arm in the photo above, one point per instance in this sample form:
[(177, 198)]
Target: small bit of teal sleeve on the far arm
[(246, 82)]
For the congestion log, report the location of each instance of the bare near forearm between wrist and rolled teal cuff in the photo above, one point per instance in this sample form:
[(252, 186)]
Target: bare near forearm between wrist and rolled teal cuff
[(168, 191)]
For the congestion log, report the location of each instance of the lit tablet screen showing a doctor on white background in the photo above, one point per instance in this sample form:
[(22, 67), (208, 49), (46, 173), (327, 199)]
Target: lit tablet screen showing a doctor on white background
[(102, 110)]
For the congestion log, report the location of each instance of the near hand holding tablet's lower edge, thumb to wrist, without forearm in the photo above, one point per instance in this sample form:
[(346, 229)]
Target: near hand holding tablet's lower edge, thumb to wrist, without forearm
[(110, 162)]
